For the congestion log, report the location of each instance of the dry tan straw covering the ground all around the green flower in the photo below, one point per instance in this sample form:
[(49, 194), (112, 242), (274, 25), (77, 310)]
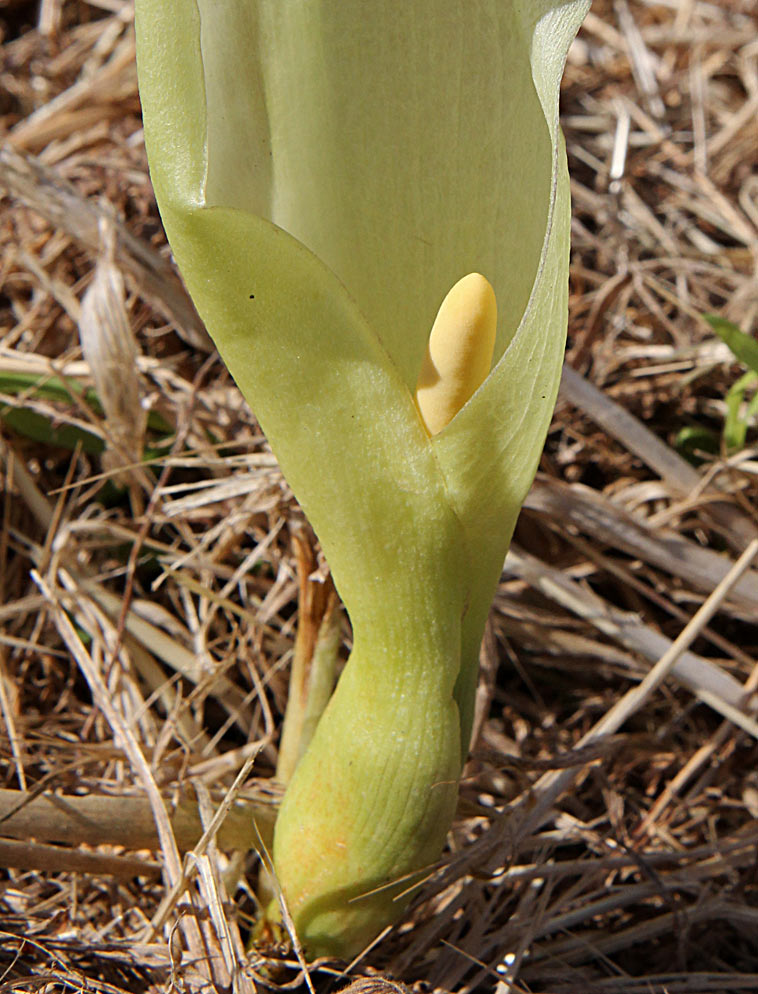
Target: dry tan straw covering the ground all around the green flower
[(607, 828)]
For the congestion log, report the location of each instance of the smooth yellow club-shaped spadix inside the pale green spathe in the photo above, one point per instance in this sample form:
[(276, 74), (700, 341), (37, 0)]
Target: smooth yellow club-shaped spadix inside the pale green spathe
[(459, 354)]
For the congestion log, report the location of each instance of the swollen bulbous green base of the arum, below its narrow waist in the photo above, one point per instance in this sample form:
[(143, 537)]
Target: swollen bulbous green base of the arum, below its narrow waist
[(368, 809)]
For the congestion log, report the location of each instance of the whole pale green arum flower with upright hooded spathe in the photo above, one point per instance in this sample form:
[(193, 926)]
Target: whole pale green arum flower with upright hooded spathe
[(327, 170)]
